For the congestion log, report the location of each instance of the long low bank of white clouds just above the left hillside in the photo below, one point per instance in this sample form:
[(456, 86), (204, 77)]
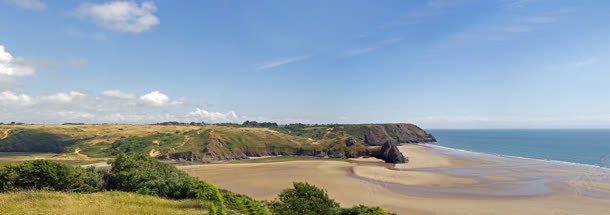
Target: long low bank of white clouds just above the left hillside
[(111, 106)]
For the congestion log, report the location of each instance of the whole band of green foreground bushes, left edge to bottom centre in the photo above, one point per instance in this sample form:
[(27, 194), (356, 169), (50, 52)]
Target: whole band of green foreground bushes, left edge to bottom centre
[(144, 175)]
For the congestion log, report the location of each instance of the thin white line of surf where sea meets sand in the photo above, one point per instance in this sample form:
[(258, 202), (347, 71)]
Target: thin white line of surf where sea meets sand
[(519, 157)]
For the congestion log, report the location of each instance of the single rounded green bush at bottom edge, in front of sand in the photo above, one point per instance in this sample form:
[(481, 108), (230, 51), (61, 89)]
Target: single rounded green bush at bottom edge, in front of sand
[(304, 198)]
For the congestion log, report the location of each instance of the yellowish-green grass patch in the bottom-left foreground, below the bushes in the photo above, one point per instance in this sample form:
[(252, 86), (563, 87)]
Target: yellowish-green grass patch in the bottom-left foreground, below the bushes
[(44, 202)]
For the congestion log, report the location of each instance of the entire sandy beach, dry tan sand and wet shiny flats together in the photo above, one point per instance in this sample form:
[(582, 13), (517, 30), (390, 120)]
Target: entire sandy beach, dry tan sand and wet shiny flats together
[(433, 182)]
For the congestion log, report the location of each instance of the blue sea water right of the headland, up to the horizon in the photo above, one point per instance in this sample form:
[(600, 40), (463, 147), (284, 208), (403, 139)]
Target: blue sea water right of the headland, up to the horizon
[(582, 146)]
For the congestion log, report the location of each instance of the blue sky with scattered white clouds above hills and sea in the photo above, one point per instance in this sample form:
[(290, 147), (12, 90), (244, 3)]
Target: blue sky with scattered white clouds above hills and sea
[(435, 63)]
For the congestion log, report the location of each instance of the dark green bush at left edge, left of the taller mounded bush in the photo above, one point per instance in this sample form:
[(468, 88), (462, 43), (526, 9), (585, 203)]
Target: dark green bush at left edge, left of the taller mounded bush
[(47, 175)]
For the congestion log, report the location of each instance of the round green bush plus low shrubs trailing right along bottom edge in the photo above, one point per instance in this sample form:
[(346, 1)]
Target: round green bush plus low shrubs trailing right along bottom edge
[(307, 199)]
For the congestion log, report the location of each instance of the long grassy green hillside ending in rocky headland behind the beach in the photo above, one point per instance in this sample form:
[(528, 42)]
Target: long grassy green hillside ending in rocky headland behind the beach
[(209, 142)]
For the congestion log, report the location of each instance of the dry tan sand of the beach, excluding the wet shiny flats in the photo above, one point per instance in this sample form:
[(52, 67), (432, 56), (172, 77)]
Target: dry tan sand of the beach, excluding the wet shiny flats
[(366, 181)]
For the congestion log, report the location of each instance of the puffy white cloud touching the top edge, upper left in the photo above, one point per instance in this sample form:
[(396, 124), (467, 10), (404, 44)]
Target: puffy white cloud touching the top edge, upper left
[(125, 16)]
